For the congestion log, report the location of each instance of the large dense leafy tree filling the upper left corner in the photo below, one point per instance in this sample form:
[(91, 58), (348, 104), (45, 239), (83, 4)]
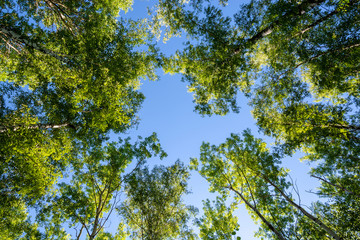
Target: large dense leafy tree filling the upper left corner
[(91, 84)]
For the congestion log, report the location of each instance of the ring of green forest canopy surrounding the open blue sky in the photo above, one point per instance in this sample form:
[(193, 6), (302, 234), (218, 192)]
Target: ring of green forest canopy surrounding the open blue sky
[(70, 80)]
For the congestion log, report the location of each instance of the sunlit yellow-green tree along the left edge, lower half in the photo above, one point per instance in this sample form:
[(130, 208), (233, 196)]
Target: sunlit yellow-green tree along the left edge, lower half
[(31, 162)]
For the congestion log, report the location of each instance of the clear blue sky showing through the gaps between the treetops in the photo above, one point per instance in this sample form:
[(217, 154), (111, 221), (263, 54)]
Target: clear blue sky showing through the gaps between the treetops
[(168, 111)]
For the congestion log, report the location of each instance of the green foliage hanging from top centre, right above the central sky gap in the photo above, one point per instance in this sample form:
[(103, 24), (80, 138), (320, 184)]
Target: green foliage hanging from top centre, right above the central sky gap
[(208, 66)]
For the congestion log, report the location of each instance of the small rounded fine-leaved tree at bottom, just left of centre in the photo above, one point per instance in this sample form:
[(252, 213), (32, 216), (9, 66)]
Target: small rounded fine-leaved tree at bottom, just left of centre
[(154, 209)]
